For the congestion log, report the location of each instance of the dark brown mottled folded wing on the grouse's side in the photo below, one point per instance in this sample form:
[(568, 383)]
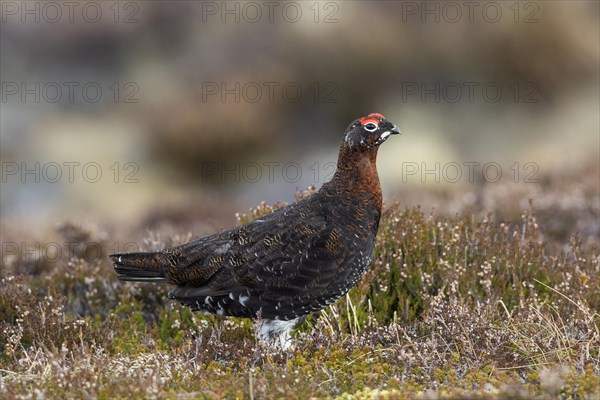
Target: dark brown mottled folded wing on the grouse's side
[(282, 265)]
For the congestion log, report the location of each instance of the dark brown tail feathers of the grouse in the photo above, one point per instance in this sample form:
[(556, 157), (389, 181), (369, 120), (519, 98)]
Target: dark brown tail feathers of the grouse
[(140, 267)]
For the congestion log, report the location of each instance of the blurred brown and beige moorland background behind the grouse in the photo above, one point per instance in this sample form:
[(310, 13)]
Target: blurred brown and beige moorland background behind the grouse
[(172, 116)]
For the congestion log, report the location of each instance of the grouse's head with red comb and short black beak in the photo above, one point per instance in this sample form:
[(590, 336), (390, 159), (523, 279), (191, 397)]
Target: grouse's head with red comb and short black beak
[(367, 133)]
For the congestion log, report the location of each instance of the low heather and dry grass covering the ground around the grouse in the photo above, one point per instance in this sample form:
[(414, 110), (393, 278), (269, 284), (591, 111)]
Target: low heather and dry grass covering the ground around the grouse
[(474, 304)]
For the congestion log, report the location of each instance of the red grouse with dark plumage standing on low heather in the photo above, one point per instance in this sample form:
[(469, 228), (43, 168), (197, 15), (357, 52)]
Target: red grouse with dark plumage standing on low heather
[(286, 264)]
